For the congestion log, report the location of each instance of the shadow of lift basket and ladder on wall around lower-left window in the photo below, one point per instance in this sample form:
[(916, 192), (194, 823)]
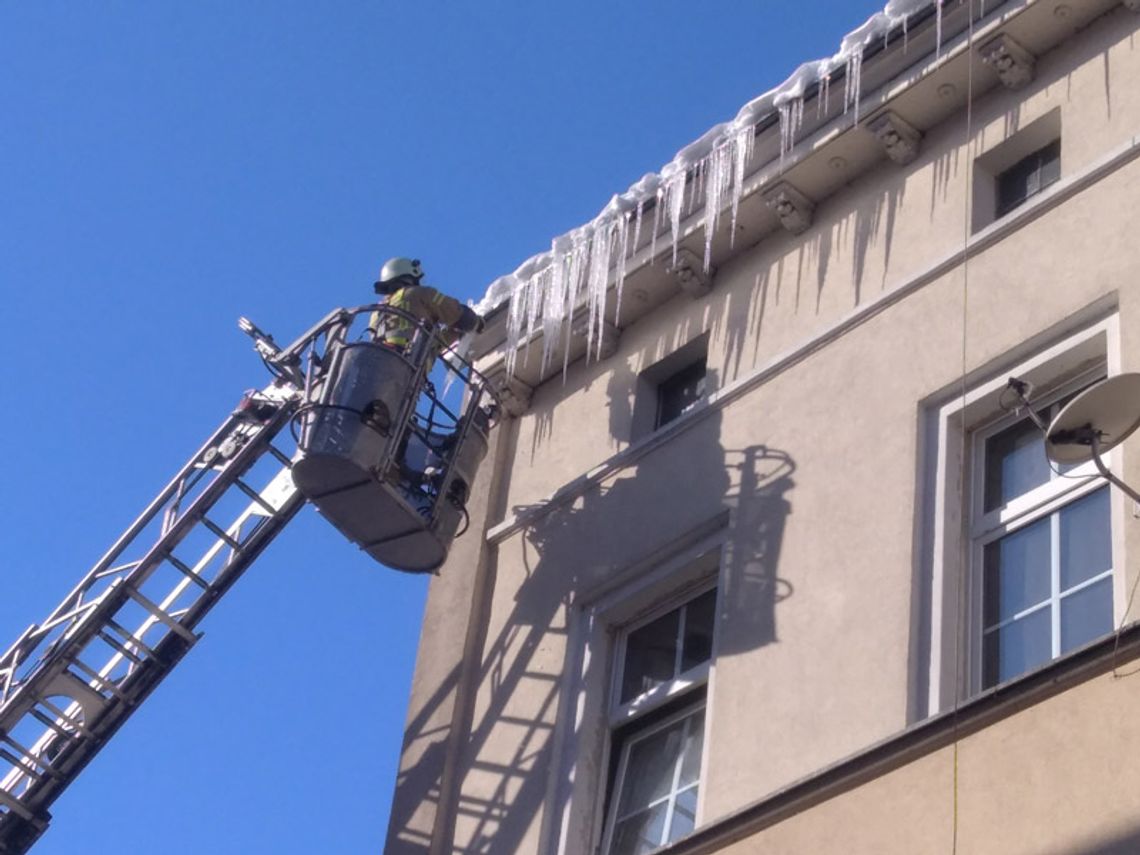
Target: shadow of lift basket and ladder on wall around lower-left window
[(514, 779)]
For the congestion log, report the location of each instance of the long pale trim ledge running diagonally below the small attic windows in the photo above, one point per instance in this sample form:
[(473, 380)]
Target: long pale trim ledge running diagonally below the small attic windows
[(1040, 205)]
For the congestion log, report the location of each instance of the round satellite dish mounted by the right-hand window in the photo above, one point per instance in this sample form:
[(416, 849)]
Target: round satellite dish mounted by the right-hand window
[(1097, 420)]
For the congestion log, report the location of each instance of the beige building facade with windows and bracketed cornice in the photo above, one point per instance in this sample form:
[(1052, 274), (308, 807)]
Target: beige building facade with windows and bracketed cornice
[(784, 568)]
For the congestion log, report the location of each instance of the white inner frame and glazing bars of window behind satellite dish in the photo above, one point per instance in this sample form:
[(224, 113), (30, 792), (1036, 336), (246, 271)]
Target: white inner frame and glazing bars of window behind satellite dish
[(1037, 504)]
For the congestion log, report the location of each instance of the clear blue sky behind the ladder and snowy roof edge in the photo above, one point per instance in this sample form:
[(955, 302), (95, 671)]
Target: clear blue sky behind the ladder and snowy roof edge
[(166, 168)]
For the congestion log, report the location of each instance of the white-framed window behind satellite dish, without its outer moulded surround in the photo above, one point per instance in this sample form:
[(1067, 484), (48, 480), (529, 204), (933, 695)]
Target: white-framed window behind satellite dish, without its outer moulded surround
[(1044, 557)]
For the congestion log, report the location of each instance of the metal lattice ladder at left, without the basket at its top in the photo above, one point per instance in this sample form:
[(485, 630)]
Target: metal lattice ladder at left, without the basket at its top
[(68, 685)]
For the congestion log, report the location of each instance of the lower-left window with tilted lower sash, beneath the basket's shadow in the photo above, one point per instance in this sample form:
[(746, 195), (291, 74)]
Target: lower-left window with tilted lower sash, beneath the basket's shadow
[(658, 727)]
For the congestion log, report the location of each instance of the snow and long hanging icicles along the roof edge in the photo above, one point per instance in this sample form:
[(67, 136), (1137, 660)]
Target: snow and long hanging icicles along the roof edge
[(545, 289)]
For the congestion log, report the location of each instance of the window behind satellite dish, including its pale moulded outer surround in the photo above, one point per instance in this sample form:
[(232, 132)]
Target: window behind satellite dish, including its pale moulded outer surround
[(1020, 558)]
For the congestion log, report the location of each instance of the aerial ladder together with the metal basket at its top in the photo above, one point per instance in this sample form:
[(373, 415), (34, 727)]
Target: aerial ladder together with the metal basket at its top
[(70, 682)]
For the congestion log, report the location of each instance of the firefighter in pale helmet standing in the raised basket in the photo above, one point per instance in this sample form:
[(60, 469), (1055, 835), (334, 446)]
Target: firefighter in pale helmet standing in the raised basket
[(401, 281)]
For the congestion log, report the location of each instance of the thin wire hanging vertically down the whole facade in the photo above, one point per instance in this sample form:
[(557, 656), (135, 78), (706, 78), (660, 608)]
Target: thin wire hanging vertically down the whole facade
[(962, 482)]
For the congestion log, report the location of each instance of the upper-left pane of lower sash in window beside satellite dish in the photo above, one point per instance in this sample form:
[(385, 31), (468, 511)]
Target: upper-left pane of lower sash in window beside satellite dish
[(1017, 573)]
